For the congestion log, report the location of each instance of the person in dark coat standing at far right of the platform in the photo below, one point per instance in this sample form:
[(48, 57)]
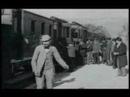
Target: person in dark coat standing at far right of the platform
[(120, 52)]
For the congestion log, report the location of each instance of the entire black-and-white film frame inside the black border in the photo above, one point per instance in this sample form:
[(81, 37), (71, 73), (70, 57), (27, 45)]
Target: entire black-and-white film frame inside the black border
[(65, 48)]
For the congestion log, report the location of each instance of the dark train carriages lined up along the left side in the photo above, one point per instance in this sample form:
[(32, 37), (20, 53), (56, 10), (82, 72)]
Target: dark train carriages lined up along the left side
[(21, 31)]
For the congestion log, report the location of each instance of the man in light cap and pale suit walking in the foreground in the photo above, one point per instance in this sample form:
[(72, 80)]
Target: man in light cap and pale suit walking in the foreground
[(42, 63)]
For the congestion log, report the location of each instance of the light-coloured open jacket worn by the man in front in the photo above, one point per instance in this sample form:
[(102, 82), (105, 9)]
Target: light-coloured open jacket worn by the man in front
[(39, 58)]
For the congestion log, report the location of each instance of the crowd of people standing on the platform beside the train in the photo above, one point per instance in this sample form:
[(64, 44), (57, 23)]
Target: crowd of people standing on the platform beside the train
[(112, 52)]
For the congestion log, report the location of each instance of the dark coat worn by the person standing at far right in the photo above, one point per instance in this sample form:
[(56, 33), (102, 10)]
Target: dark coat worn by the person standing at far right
[(121, 57)]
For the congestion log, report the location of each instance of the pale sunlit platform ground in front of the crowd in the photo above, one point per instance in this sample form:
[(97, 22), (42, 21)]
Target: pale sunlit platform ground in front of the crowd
[(90, 77)]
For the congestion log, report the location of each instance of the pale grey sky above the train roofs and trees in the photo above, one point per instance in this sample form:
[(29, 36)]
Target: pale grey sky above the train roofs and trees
[(112, 19)]
